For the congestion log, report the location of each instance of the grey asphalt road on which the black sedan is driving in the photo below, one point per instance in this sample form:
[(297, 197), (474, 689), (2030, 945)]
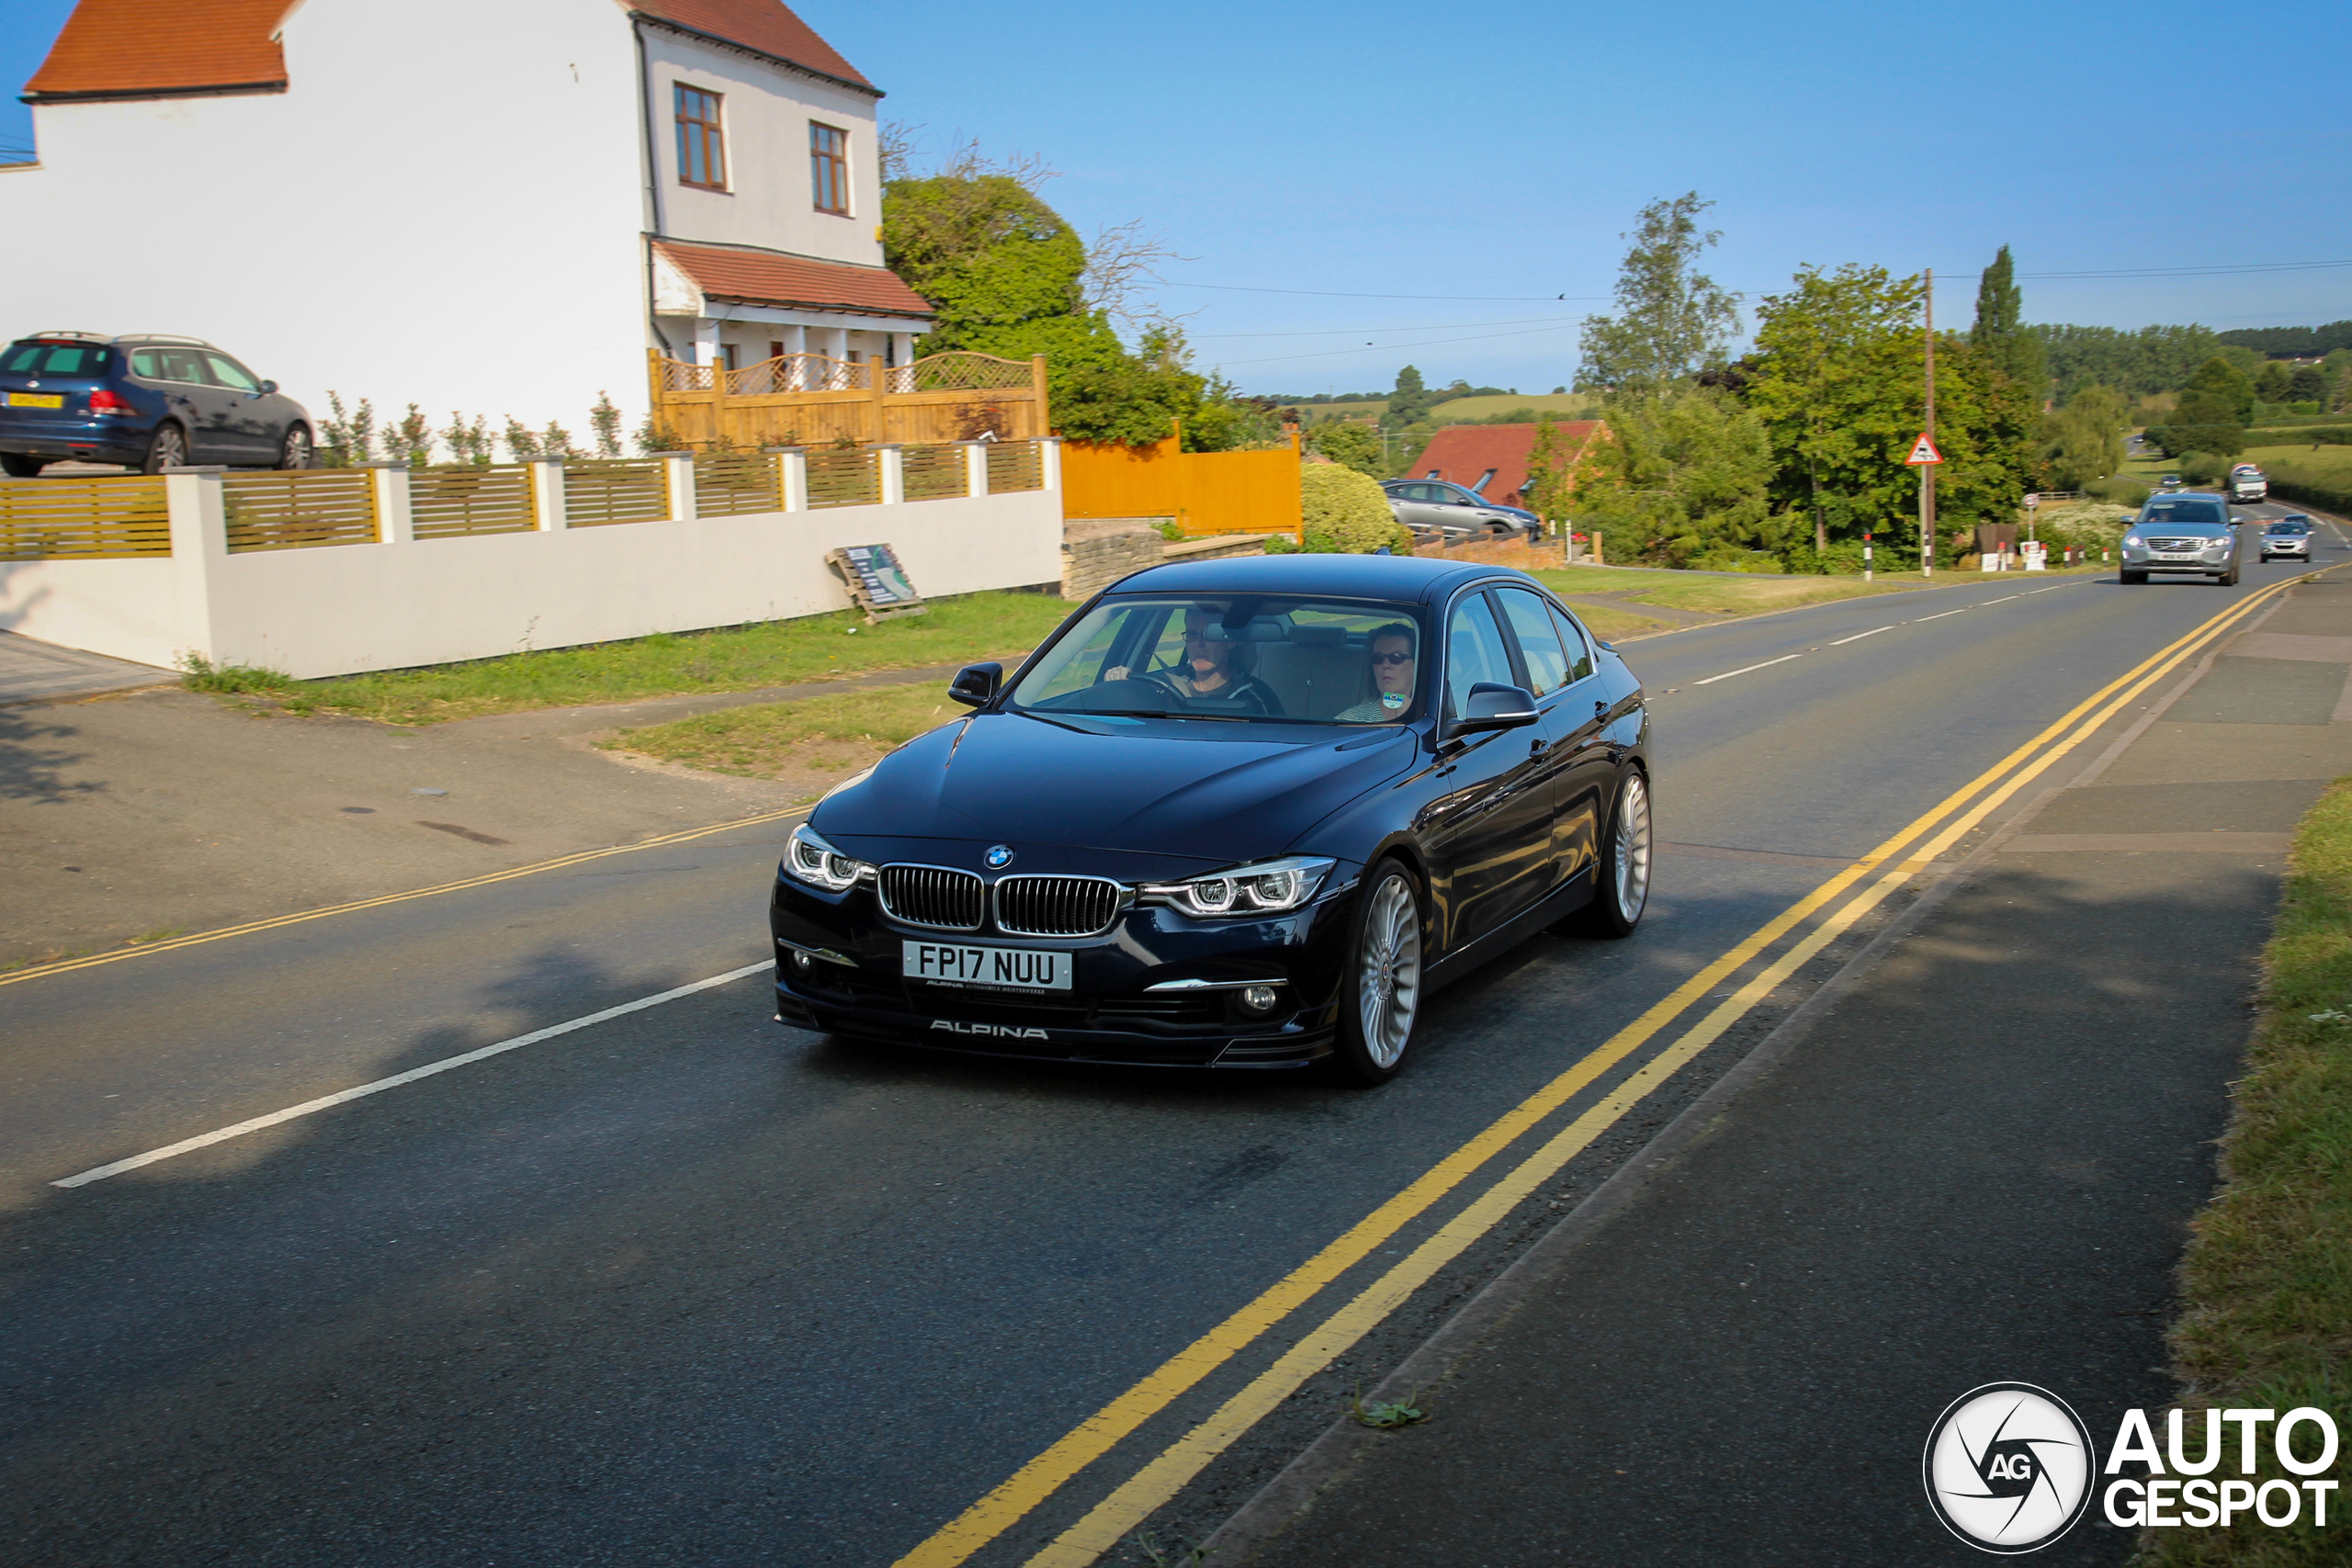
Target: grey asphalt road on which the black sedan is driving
[(690, 1289)]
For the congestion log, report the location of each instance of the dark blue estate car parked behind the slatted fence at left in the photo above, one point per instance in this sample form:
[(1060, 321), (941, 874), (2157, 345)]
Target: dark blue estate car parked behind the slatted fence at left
[(145, 401)]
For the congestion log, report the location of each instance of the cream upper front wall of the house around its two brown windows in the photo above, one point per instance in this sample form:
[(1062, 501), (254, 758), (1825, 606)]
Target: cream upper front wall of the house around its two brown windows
[(770, 199)]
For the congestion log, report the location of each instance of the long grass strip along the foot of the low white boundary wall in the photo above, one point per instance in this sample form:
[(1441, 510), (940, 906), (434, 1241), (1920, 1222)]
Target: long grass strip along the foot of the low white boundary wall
[(730, 659)]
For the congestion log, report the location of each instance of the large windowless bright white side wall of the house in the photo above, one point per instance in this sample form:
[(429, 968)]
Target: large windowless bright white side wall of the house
[(441, 210)]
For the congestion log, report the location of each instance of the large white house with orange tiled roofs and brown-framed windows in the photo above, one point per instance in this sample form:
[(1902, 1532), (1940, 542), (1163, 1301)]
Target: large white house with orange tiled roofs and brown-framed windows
[(474, 206)]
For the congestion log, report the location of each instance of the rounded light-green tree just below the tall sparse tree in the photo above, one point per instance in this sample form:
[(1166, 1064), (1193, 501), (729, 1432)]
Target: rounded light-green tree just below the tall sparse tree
[(1685, 478)]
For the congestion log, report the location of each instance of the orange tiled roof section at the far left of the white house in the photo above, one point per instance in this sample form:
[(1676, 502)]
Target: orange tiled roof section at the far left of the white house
[(163, 48)]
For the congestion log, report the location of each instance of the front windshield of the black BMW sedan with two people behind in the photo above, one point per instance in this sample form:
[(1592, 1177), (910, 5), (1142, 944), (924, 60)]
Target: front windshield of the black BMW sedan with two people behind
[(1252, 659)]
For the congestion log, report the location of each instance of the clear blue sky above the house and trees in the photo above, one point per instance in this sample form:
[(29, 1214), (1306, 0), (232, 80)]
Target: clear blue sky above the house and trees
[(1318, 161)]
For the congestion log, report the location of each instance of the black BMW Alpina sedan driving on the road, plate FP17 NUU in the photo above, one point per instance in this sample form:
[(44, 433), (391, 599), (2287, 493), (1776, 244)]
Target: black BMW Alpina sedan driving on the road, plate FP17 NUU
[(1234, 815)]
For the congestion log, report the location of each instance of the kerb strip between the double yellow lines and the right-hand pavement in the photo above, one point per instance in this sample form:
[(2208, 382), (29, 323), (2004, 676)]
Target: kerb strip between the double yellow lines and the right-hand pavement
[(1297, 1487)]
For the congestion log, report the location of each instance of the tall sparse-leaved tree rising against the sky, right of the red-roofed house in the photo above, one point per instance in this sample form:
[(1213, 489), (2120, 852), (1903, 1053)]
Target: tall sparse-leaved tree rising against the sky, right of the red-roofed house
[(1673, 321)]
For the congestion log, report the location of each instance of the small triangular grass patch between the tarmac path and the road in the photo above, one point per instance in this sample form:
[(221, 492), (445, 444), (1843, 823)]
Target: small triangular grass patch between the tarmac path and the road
[(813, 742)]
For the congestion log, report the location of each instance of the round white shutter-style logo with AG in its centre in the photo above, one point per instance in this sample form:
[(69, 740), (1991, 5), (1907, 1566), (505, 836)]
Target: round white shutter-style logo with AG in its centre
[(2010, 1468)]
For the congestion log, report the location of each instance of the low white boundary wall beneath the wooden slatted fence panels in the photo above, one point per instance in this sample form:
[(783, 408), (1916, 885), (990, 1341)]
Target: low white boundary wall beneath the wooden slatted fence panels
[(338, 610)]
